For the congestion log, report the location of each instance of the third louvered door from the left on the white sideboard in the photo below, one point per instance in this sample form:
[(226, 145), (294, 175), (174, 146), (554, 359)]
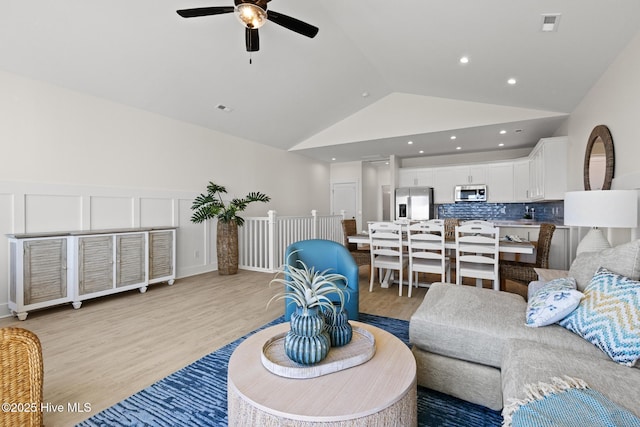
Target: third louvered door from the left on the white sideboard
[(130, 259)]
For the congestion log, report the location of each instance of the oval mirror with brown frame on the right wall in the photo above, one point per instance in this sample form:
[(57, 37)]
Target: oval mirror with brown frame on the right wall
[(599, 160)]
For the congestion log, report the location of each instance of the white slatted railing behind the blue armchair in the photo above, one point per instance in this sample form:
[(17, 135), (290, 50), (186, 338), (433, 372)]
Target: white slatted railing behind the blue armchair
[(262, 241)]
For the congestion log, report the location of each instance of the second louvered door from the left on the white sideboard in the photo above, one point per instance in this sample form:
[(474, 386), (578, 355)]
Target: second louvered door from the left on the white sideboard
[(95, 264)]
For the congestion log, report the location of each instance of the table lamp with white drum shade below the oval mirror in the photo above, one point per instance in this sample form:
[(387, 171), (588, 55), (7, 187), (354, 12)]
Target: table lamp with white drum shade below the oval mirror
[(600, 208)]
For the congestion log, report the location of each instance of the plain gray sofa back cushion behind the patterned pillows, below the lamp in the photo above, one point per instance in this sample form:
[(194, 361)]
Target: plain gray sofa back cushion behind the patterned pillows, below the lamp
[(623, 259)]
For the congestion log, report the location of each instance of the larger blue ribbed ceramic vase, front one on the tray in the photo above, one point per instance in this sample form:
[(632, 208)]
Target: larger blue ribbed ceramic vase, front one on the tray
[(307, 342)]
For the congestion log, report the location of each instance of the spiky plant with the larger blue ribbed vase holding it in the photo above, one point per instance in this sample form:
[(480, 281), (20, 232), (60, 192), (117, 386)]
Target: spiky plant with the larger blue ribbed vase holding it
[(308, 341)]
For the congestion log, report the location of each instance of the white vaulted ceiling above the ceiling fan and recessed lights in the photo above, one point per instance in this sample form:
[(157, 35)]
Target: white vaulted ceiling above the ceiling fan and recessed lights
[(378, 74)]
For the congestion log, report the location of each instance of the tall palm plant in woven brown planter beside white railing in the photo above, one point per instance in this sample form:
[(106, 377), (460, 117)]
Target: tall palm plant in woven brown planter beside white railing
[(211, 205)]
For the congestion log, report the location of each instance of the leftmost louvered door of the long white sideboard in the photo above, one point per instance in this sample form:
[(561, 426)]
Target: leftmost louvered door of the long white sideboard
[(45, 270)]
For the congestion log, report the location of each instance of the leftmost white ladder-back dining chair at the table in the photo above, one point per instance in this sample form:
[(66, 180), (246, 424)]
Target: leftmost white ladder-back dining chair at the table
[(386, 246)]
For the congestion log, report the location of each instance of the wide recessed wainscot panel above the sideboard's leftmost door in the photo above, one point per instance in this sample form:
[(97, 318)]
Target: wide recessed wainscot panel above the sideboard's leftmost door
[(52, 212)]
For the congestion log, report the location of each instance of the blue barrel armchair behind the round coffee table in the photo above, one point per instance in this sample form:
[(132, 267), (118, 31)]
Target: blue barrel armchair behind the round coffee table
[(326, 254)]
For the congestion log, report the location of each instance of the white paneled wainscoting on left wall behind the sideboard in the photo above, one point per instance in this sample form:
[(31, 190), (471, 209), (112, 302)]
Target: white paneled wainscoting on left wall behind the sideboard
[(32, 207)]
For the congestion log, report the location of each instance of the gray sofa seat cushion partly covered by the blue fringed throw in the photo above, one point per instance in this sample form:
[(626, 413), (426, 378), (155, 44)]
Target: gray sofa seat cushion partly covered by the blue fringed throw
[(526, 362)]
